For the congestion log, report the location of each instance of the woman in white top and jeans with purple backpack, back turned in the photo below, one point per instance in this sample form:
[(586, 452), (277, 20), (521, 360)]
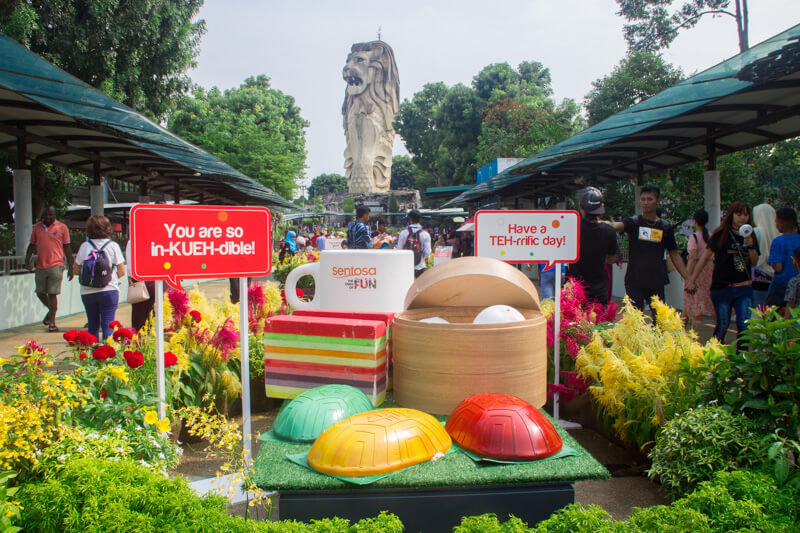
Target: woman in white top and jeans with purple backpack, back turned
[(100, 302)]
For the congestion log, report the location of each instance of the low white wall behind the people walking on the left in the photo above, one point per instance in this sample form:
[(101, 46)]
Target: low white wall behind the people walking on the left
[(19, 305)]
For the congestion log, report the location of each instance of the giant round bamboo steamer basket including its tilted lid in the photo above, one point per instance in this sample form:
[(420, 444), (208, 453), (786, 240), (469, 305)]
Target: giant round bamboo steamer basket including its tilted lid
[(436, 366)]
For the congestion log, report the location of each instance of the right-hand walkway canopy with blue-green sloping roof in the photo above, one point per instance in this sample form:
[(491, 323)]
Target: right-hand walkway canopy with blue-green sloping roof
[(749, 100)]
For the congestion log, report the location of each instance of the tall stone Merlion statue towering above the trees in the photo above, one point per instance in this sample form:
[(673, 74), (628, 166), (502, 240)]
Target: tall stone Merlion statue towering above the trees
[(371, 101)]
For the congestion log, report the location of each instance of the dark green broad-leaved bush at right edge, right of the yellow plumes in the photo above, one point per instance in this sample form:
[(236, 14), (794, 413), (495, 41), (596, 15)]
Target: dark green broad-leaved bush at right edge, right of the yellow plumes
[(763, 381)]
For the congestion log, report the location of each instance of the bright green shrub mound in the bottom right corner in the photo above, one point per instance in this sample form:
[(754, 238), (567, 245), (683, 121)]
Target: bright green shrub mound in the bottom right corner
[(743, 501)]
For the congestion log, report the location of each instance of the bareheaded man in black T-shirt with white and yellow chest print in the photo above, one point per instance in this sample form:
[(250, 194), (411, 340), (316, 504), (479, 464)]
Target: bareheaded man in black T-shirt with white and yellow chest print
[(649, 237)]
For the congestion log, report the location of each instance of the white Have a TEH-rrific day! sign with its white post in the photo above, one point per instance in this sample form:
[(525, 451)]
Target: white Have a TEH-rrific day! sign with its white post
[(550, 237)]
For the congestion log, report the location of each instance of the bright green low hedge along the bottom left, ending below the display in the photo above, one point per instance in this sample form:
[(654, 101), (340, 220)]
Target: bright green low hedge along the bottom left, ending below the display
[(106, 496)]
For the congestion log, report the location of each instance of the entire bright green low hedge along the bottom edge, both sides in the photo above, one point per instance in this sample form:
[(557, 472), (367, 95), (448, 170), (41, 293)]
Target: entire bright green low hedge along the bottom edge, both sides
[(103, 496)]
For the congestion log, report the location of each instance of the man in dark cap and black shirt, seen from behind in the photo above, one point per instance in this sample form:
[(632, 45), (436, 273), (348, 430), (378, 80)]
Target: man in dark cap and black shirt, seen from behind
[(598, 247)]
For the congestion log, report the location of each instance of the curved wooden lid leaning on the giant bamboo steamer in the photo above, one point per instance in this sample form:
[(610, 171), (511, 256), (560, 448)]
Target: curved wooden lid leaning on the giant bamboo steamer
[(473, 282)]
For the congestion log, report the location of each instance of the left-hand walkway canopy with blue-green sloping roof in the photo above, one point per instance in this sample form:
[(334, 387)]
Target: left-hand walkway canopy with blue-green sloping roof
[(49, 115)]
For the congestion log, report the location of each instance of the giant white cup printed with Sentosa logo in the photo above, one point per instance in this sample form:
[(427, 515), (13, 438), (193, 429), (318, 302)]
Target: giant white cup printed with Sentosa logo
[(356, 280)]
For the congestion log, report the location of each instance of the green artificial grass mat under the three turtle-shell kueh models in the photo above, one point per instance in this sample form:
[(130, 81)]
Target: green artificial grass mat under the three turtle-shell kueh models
[(273, 471)]
